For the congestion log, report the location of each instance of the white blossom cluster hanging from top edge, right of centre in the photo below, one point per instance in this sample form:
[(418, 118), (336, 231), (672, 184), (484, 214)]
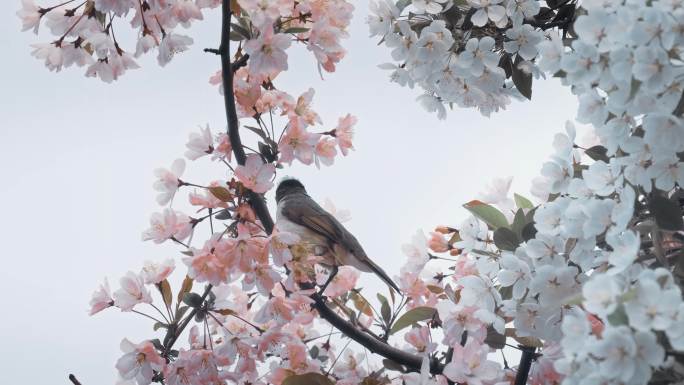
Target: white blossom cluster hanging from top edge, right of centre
[(462, 52)]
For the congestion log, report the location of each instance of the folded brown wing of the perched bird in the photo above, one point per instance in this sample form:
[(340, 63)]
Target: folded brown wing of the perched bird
[(306, 212)]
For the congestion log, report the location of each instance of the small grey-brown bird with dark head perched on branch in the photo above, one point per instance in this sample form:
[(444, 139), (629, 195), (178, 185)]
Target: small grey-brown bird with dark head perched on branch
[(299, 214)]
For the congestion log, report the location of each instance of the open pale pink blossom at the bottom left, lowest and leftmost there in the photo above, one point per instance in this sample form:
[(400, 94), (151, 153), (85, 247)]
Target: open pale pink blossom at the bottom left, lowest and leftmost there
[(139, 361)]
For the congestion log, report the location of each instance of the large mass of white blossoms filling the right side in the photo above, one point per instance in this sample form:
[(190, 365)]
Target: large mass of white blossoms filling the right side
[(592, 275)]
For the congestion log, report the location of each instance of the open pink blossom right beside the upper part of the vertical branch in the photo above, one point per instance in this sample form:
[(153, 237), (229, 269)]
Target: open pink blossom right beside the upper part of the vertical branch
[(267, 55)]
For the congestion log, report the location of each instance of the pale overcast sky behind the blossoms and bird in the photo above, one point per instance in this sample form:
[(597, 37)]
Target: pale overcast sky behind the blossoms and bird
[(77, 157)]
